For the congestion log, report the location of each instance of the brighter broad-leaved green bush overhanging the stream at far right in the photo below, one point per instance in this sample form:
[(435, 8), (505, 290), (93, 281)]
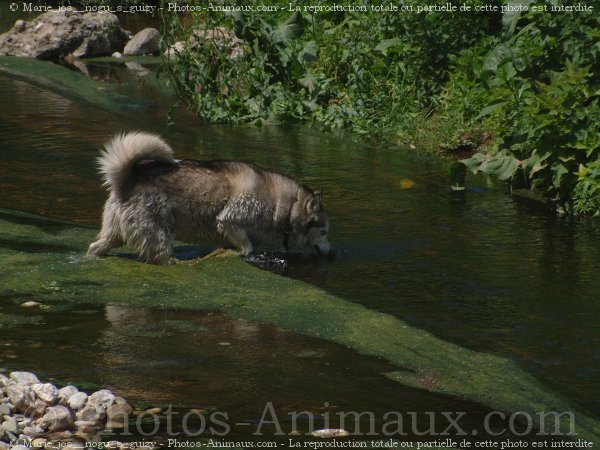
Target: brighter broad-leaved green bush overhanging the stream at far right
[(541, 88)]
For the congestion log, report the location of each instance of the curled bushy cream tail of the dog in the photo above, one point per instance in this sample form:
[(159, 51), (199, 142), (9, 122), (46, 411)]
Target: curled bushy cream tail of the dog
[(124, 150)]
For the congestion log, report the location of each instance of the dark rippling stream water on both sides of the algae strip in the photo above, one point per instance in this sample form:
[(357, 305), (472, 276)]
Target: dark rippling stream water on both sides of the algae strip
[(483, 271)]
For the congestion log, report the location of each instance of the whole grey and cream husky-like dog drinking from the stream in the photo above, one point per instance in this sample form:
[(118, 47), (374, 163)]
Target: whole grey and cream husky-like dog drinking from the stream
[(155, 199)]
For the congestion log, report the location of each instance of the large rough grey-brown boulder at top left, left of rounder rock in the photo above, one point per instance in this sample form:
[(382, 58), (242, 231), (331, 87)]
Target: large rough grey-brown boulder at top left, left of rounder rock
[(54, 35)]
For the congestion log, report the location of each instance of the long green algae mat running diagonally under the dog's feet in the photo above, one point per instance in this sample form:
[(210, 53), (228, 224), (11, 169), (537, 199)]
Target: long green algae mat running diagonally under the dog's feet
[(44, 259)]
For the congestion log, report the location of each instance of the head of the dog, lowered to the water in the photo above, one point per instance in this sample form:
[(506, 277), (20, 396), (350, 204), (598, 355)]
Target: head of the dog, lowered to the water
[(310, 224)]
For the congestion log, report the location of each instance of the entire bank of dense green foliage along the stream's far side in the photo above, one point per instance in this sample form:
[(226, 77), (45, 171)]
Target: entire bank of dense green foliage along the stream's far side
[(522, 87)]
